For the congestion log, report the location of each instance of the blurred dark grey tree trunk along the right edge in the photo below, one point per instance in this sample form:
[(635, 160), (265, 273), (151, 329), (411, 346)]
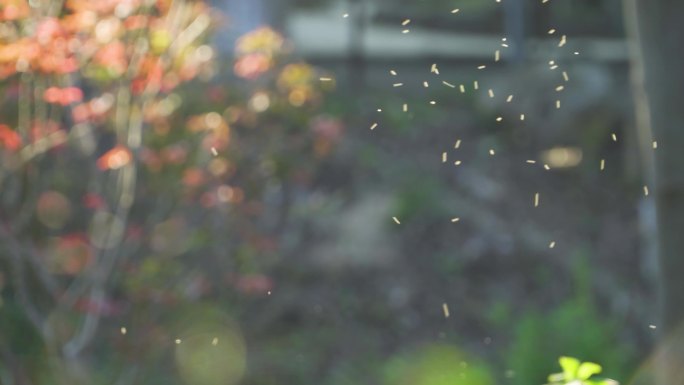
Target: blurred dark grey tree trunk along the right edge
[(658, 31)]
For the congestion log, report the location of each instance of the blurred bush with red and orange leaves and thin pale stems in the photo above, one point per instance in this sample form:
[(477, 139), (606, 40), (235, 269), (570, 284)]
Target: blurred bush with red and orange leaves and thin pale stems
[(125, 194)]
